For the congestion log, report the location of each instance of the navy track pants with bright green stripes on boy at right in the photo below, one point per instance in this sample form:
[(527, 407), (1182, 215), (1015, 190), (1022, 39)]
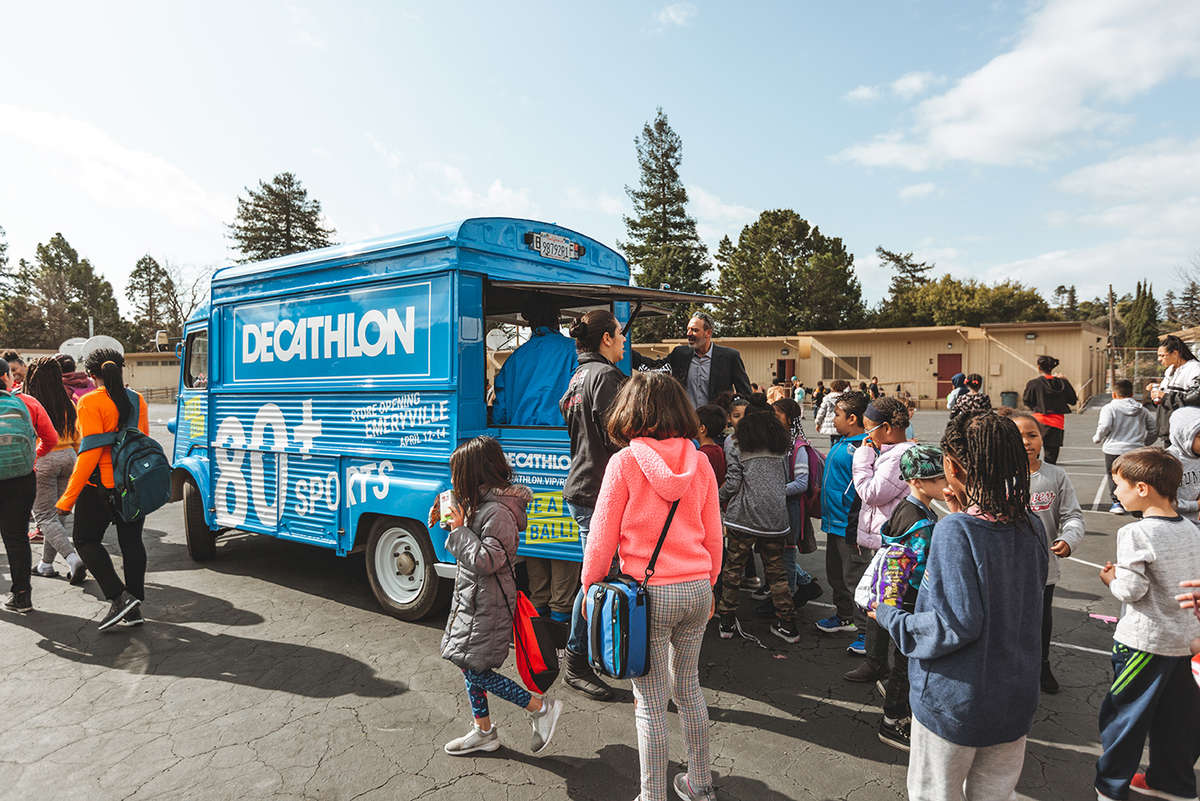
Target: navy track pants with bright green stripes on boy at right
[(1151, 696)]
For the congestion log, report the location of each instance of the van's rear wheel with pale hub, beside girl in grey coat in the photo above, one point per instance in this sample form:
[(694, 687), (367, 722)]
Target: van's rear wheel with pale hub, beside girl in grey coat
[(400, 569)]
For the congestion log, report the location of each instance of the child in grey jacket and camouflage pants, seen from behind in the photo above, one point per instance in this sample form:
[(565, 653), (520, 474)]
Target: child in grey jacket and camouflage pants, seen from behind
[(755, 501)]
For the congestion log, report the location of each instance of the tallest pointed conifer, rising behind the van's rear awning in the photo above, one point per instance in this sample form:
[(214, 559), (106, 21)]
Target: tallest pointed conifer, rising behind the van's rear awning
[(663, 246)]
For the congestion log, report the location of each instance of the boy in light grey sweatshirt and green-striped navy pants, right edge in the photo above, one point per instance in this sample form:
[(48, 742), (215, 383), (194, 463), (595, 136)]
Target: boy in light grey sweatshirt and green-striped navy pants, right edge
[(1153, 690)]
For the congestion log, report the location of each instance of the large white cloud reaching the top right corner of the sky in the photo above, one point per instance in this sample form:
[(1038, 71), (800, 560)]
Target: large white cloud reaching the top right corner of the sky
[(1066, 77)]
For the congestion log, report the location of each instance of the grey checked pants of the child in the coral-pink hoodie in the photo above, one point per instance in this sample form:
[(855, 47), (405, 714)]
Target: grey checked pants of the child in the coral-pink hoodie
[(679, 617)]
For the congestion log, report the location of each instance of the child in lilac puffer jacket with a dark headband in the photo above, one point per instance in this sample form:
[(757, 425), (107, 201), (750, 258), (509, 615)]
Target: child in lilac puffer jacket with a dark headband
[(881, 489)]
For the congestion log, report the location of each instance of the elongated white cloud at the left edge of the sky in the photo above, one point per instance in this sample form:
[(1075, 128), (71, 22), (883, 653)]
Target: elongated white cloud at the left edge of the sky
[(115, 174)]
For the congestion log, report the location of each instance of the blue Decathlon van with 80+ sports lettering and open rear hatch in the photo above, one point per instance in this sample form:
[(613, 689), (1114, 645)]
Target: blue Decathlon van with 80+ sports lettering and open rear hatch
[(321, 394)]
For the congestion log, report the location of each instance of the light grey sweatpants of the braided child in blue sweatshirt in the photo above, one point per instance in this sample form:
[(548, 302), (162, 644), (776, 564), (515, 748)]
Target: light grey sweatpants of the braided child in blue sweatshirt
[(940, 770)]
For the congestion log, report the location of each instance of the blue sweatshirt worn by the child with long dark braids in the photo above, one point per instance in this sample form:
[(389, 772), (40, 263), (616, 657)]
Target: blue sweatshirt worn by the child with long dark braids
[(975, 640)]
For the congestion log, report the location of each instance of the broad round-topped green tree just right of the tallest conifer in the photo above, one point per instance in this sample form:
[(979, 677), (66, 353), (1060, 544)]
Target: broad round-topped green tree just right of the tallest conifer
[(787, 276)]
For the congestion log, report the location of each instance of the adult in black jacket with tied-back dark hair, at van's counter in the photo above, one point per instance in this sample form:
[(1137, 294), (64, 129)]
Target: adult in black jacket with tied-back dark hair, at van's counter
[(590, 394)]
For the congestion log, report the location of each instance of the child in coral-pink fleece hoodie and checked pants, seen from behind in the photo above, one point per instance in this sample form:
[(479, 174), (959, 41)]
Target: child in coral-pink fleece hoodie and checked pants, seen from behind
[(661, 466)]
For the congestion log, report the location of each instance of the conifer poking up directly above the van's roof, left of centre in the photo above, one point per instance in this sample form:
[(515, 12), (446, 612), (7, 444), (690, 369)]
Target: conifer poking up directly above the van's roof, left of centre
[(278, 219)]
